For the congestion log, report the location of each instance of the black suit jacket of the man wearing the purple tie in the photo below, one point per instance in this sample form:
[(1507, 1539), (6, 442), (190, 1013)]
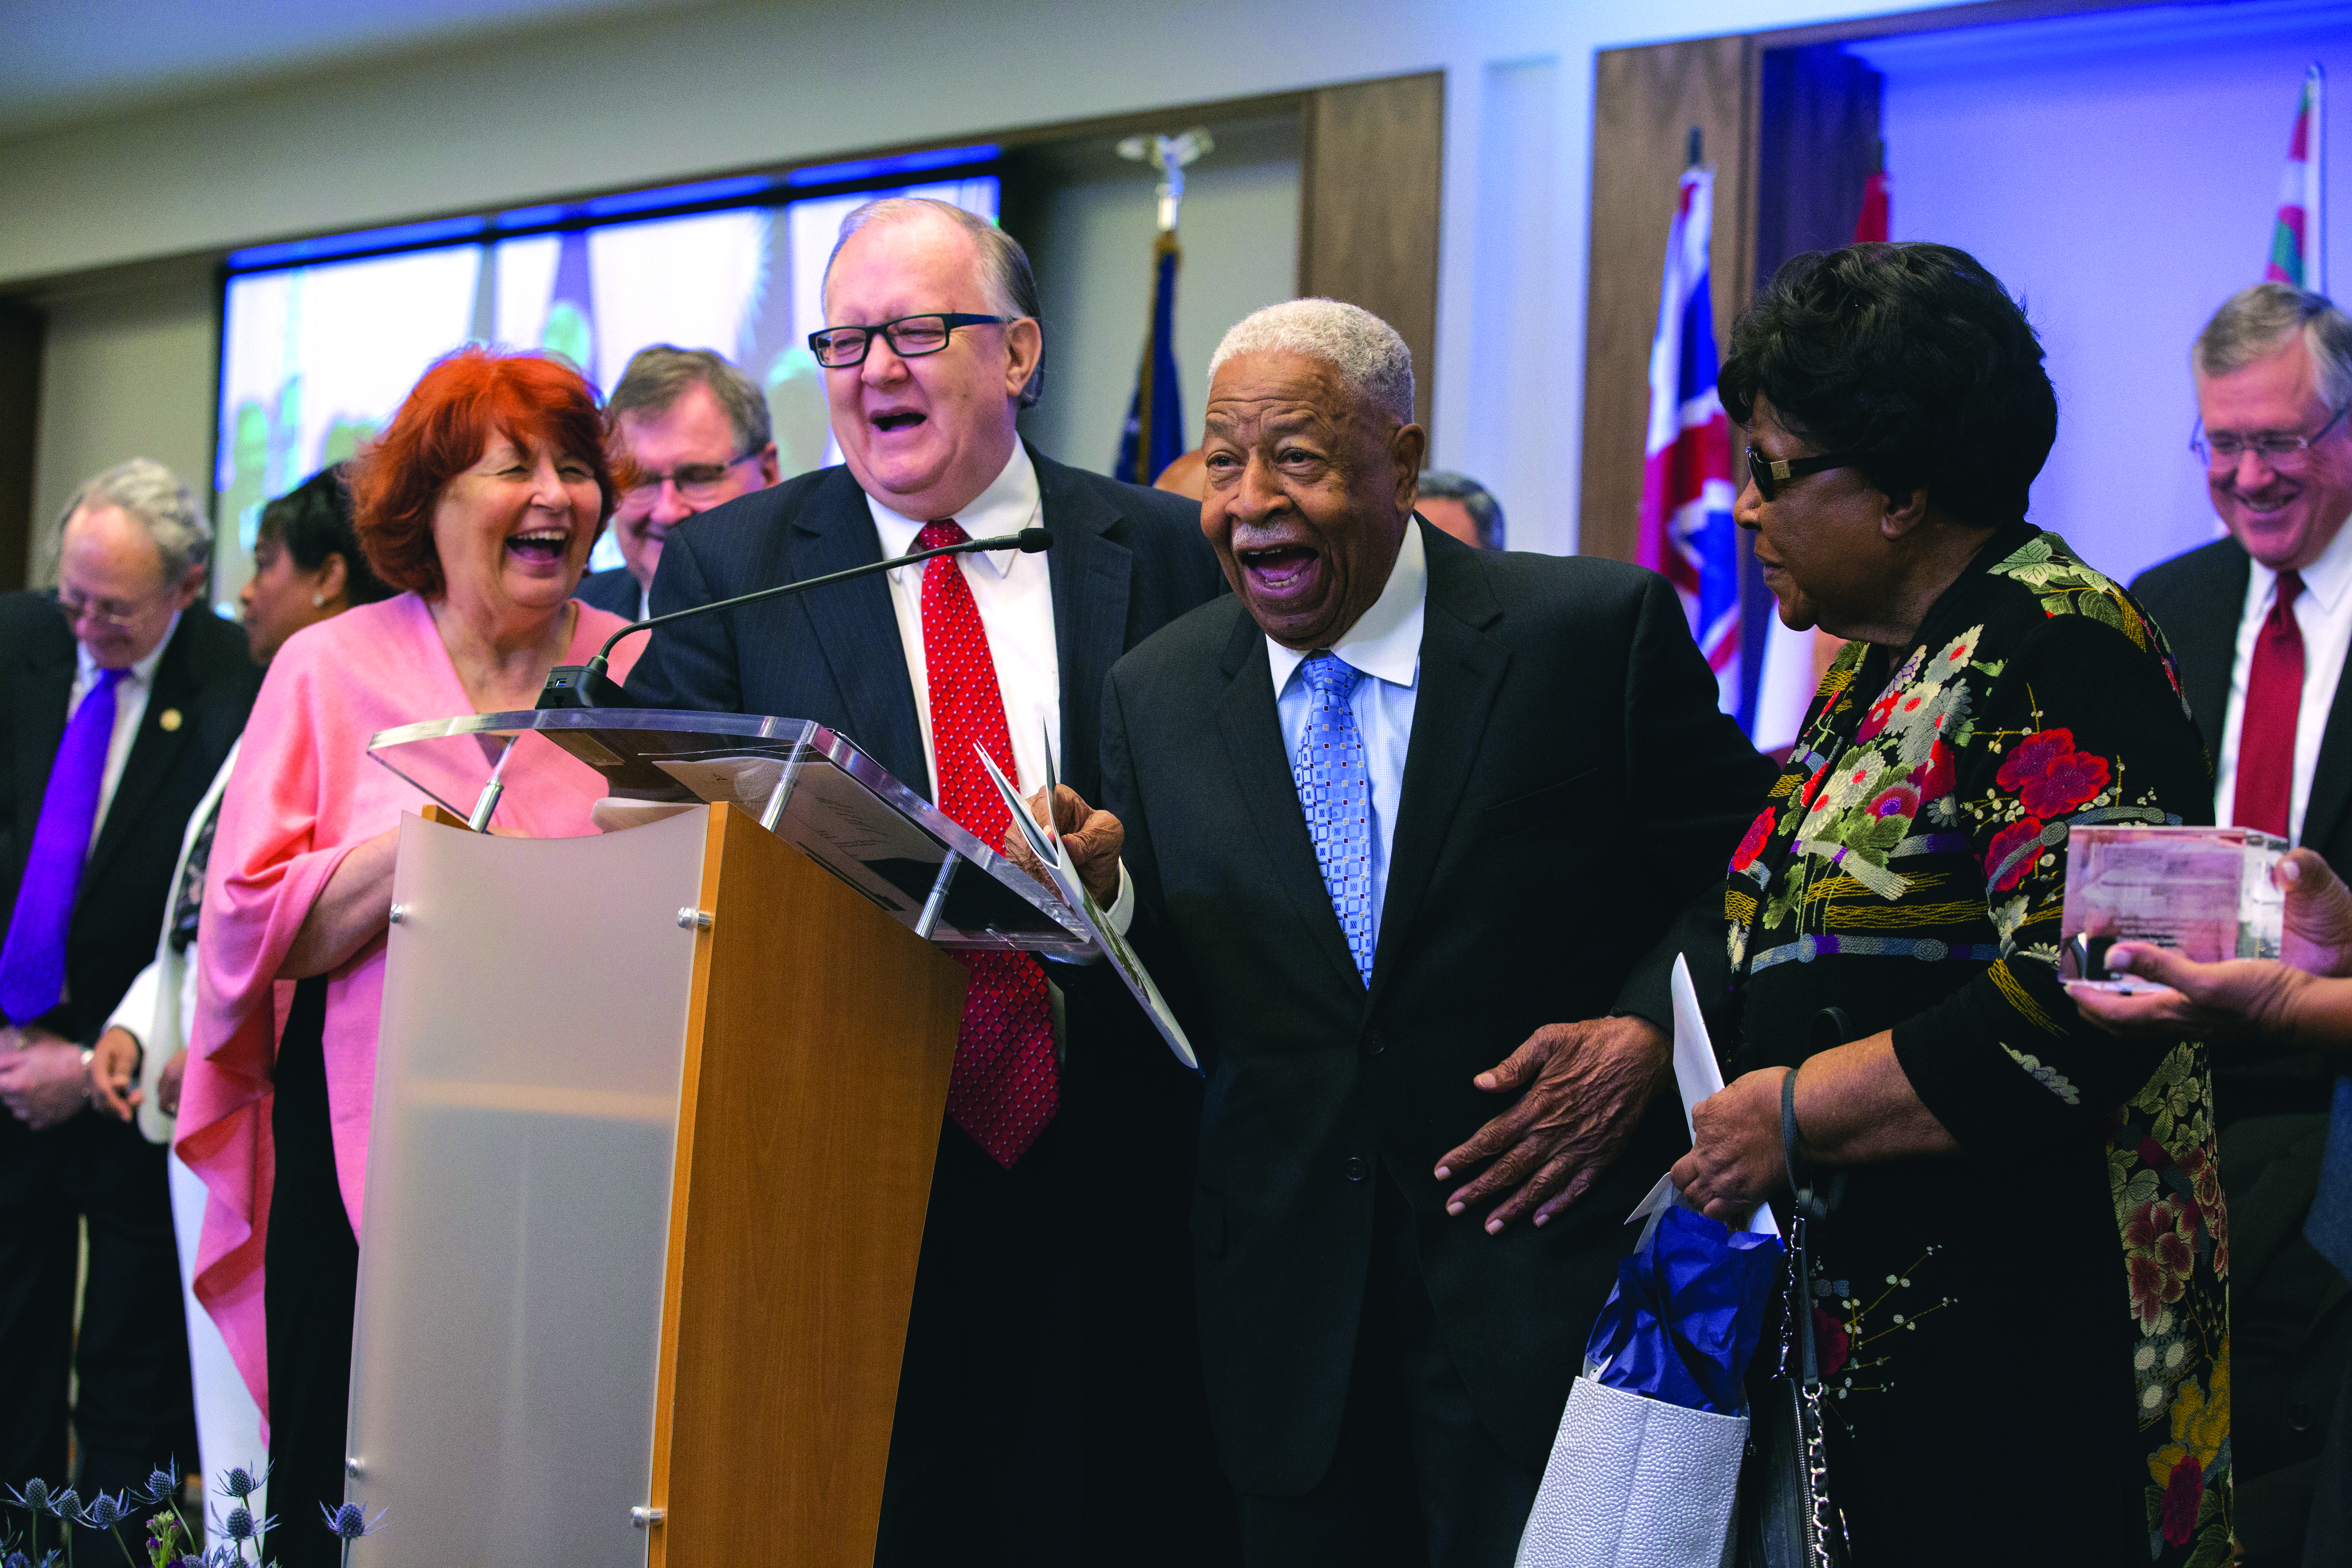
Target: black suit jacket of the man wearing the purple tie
[(208, 681)]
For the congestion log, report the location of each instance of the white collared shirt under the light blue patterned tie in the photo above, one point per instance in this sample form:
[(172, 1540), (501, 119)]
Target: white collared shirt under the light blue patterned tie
[(1387, 648)]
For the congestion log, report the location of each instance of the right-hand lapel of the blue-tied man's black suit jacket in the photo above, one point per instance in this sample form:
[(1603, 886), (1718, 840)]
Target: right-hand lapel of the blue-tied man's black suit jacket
[(1462, 671)]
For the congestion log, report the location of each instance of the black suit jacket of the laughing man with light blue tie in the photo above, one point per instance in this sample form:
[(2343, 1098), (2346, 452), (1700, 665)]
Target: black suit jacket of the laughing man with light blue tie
[(1570, 786)]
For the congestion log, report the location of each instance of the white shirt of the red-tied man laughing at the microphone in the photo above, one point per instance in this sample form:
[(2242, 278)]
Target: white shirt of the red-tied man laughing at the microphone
[(1015, 598)]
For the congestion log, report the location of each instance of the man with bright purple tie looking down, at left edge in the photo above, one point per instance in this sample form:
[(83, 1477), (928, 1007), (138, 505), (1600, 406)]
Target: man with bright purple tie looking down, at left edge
[(119, 699)]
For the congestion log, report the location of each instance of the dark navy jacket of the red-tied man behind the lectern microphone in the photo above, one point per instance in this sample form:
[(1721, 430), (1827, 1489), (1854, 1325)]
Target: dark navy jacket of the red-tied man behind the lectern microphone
[(1125, 561)]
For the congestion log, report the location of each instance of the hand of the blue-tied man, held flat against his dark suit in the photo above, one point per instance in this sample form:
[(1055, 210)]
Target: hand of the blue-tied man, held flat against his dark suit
[(1586, 1087)]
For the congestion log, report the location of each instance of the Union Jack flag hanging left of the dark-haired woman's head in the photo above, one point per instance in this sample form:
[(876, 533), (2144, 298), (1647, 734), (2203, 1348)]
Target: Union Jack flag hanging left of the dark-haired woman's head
[(1688, 532)]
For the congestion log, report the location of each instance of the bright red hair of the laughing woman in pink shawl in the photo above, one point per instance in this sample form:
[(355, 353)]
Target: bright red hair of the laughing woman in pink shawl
[(443, 429)]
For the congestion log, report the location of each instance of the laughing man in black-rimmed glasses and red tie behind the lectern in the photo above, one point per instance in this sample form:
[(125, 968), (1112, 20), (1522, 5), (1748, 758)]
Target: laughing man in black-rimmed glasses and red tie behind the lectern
[(1050, 1407)]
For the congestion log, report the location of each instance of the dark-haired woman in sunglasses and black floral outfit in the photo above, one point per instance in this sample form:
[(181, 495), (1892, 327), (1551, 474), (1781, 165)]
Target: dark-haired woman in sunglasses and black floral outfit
[(2019, 1278)]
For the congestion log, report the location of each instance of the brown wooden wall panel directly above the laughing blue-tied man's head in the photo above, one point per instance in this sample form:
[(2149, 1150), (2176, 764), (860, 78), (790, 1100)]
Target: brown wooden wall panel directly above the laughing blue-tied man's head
[(1368, 206)]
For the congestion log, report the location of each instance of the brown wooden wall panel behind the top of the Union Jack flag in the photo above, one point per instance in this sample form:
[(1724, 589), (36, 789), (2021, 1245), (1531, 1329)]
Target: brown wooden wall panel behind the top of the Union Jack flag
[(1645, 105)]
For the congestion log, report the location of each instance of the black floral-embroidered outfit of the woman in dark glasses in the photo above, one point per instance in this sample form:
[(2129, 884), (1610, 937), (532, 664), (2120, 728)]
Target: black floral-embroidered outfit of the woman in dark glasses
[(2036, 1329)]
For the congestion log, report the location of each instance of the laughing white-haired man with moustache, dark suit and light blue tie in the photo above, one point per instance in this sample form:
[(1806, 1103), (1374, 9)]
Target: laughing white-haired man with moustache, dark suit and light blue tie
[(1405, 824)]
